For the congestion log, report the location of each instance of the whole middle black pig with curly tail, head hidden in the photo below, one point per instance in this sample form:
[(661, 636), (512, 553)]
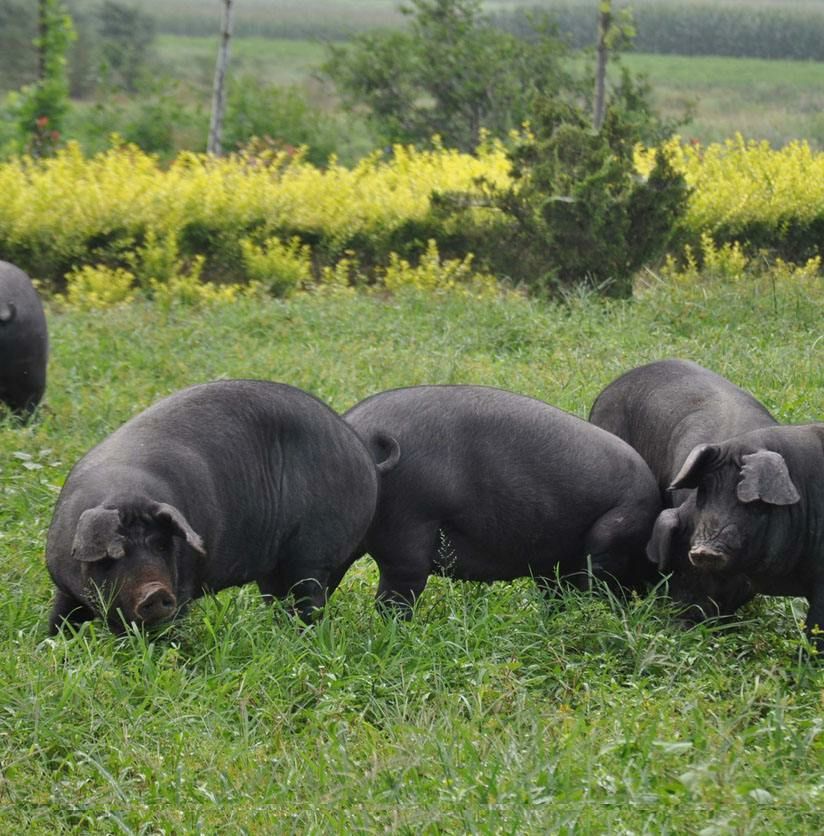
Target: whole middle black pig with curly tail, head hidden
[(491, 485)]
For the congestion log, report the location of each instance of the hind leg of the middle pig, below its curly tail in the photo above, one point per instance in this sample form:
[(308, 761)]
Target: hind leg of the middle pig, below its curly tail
[(404, 567)]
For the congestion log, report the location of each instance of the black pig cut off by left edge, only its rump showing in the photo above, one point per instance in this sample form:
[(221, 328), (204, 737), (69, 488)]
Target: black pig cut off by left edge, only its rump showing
[(24, 341)]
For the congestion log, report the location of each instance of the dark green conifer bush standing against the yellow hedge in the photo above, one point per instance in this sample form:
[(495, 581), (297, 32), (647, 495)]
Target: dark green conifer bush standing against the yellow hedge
[(579, 212)]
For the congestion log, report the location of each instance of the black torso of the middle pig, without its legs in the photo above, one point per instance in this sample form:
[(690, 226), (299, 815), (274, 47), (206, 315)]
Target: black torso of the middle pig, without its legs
[(498, 461)]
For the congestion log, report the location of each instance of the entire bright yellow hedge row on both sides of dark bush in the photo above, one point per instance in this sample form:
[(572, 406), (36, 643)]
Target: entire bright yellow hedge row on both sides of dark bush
[(122, 209)]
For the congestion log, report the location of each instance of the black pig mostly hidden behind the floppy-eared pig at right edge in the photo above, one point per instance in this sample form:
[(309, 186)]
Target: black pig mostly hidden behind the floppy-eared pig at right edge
[(664, 409)]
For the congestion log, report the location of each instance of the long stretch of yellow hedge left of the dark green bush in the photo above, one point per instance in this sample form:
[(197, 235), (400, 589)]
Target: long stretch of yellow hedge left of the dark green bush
[(68, 209)]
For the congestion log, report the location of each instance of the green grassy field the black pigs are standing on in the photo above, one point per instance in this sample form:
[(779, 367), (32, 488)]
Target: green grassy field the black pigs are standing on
[(492, 711)]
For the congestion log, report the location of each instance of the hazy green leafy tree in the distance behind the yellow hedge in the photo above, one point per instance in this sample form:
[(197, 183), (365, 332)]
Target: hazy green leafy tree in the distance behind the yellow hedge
[(451, 73)]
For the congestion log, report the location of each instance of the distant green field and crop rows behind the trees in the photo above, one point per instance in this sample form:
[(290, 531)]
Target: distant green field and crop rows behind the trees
[(281, 43)]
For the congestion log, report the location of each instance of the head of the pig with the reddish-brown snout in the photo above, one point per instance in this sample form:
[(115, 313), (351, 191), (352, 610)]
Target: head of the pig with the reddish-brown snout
[(127, 561)]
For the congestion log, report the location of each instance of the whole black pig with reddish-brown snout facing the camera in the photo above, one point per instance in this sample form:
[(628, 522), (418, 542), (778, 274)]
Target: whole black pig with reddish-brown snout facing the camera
[(214, 486)]
